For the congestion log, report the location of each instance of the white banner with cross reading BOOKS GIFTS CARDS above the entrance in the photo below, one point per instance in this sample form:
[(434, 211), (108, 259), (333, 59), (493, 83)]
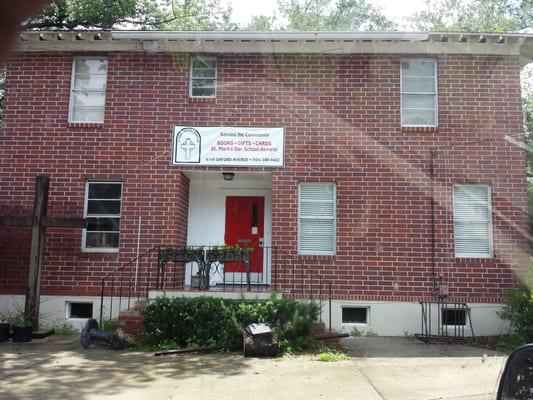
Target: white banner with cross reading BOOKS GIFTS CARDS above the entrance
[(228, 146)]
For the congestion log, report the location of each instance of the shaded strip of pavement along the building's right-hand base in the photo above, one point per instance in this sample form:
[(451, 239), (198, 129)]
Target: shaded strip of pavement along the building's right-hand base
[(397, 347)]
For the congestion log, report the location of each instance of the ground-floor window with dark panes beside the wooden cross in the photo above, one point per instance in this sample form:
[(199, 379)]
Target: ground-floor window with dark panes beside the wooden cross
[(103, 201)]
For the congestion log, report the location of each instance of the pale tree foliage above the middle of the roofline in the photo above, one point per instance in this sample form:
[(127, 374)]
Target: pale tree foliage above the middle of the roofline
[(324, 15)]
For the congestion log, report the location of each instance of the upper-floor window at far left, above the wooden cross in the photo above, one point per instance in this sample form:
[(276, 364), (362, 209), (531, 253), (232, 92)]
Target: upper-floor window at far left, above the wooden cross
[(87, 92)]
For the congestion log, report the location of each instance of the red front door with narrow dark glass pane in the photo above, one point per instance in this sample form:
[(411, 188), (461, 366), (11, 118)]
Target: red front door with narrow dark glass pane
[(245, 217)]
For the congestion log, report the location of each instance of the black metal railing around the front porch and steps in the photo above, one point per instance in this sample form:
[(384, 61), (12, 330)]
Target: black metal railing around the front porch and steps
[(285, 273)]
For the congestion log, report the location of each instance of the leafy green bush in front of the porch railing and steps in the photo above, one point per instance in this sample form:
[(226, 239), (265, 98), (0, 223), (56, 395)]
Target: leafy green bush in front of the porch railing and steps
[(199, 321)]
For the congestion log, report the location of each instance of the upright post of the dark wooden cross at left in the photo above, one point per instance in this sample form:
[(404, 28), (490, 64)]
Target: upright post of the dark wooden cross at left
[(31, 309)]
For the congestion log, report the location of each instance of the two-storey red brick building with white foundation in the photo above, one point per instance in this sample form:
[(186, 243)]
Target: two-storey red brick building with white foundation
[(375, 169)]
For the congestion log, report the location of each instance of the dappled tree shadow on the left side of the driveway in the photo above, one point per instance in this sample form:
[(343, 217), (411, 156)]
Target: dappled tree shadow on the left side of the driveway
[(66, 371)]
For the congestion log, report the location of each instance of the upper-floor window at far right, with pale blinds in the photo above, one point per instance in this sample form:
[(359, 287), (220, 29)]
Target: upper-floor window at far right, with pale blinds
[(419, 92)]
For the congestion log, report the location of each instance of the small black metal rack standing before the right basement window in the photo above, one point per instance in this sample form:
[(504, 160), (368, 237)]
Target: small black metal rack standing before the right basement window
[(445, 321)]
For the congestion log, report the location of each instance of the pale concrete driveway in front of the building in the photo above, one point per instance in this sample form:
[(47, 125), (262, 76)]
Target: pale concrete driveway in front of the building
[(380, 368)]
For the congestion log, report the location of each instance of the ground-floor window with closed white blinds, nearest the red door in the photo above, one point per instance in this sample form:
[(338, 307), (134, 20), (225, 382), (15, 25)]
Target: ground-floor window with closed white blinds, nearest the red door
[(316, 218)]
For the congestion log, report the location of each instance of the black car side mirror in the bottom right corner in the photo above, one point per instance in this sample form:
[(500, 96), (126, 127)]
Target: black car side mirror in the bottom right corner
[(517, 379)]
